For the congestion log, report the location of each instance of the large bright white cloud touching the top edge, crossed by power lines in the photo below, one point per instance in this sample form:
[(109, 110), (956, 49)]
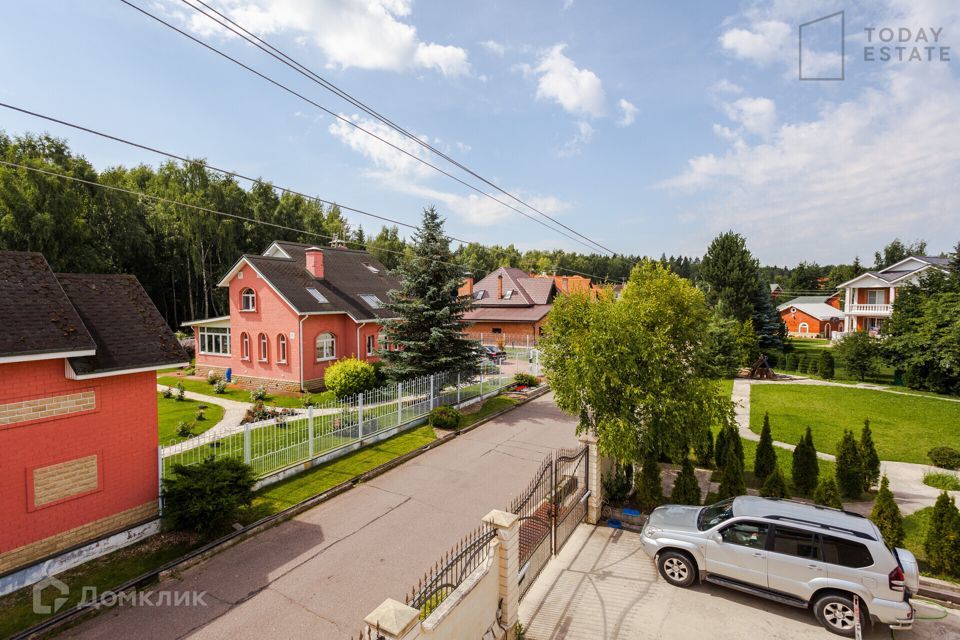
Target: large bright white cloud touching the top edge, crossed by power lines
[(367, 34)]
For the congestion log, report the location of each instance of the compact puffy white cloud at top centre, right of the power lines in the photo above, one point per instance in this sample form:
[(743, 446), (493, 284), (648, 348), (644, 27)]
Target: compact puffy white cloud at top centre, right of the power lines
[(578, 91)]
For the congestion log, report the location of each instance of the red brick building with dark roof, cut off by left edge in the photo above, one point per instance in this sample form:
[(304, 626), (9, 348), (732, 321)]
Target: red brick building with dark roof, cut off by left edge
[(78, 410)]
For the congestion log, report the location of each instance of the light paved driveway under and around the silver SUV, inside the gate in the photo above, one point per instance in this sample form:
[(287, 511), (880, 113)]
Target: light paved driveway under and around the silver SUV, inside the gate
[(602, 585)]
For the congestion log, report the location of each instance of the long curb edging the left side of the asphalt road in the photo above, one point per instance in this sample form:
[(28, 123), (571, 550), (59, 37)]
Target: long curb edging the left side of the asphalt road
[(201, 554)]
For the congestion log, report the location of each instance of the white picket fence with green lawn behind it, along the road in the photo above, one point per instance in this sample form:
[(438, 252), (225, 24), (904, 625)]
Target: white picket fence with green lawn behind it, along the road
[(273, 445)]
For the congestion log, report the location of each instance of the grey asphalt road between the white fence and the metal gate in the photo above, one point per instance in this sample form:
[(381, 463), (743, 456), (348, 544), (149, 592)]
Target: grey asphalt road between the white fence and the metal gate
[(318, 575)]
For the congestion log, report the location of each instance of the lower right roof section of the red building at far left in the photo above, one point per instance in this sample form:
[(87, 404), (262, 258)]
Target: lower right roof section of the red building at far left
[(129, 331)]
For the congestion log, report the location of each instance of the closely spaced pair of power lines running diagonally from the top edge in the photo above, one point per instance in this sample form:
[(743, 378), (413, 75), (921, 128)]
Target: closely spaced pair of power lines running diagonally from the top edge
[(237, 29)]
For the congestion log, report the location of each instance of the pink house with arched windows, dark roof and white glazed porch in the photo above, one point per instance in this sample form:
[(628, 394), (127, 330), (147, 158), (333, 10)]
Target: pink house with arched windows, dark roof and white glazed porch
[(293, 311)]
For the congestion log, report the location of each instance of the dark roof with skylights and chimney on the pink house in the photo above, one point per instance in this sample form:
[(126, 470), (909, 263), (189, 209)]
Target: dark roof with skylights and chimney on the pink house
[(346, 277)]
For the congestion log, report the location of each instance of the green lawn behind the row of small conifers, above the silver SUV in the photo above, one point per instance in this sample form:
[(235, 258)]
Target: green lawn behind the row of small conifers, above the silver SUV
[(904, 428)]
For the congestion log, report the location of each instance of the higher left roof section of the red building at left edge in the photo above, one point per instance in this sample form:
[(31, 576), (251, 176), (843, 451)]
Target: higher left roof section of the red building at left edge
[(36, 314)]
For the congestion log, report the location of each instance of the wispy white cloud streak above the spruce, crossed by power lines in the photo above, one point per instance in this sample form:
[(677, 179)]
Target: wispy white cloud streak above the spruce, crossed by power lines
[(399, 172)]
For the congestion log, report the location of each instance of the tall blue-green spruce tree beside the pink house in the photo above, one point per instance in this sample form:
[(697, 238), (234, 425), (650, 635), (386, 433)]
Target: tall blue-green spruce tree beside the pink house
[(428, 334)]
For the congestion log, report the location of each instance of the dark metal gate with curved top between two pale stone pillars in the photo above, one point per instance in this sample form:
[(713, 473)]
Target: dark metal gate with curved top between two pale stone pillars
[(550, 509)]
